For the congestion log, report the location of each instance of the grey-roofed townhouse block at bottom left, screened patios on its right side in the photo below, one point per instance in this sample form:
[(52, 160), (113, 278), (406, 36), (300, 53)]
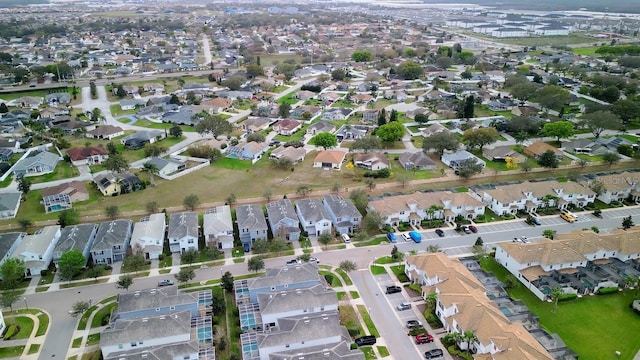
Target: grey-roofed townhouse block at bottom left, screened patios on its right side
[(160, 324)]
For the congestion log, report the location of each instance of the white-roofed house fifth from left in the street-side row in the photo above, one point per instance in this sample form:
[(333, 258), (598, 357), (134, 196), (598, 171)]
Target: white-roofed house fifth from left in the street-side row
[(148, 236)]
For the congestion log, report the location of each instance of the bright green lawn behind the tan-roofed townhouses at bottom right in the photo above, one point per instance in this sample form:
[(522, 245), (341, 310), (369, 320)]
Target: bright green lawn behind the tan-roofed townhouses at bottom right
[(595, 327)]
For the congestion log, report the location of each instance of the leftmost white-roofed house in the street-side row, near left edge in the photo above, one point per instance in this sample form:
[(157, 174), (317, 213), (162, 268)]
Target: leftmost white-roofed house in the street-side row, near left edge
[(37, 250)]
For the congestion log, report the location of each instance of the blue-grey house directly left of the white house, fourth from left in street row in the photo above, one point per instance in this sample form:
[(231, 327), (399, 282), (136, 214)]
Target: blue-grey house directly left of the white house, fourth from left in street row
[(111, 242)]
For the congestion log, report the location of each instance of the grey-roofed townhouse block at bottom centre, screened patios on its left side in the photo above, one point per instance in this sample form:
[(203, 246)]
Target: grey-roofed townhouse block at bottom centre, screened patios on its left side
[(289, 313)]
